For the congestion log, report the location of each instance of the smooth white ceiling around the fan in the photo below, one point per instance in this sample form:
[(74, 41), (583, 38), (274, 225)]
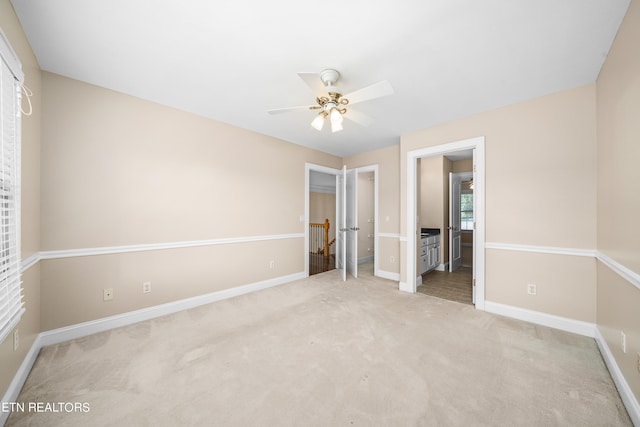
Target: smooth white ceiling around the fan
[(232, 60)]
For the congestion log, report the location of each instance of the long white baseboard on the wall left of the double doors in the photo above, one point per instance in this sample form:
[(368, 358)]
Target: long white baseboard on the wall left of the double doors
[(79, 330)]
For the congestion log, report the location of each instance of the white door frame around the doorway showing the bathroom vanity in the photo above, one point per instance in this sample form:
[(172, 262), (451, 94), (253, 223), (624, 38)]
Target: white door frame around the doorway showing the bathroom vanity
[(478, 146)]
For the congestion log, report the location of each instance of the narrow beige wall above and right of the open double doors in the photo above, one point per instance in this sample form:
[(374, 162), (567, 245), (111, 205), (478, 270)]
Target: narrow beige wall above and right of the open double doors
[(388, 161)]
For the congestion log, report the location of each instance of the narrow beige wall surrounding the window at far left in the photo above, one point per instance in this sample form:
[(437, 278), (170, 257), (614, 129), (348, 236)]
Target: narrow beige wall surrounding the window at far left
[(29, 326)]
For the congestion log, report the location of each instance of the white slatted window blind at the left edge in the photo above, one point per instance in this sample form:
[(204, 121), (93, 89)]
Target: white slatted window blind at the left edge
[(11, 305)]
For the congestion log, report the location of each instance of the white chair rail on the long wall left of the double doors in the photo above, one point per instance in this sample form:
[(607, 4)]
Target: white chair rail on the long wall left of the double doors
[(68, 253)]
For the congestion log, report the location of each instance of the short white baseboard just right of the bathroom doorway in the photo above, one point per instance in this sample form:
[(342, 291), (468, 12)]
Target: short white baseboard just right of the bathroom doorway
[(545, 319)]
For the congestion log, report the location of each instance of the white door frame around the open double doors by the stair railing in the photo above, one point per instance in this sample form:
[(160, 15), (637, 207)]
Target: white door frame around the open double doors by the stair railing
[(331, 171)]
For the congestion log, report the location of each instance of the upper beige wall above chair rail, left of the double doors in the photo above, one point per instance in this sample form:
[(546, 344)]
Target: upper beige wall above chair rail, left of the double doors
[(121, 171)]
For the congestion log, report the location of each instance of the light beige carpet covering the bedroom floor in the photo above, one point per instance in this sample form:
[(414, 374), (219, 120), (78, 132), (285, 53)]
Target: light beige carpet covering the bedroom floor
[(319, 352)]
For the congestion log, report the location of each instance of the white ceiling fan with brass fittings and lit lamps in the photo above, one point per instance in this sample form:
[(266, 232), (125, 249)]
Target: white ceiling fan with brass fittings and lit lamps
[(332, 103)]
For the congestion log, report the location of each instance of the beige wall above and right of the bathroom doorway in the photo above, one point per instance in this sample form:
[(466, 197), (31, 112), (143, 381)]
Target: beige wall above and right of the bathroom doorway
[(536, 151)]
